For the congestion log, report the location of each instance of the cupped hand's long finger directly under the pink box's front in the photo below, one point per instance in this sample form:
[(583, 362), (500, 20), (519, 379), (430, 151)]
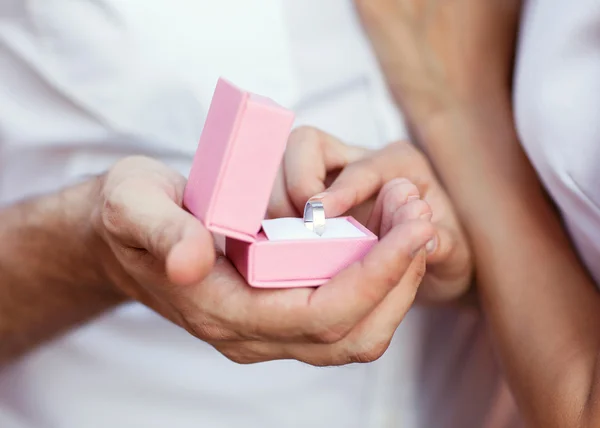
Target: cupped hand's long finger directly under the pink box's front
[(322, 315)]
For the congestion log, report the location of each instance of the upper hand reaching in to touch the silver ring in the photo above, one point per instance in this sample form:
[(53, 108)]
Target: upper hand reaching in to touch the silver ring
[(377, 188)]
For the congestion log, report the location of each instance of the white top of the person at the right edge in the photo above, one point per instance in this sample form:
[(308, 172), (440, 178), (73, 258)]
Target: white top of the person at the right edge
[(557, 101)]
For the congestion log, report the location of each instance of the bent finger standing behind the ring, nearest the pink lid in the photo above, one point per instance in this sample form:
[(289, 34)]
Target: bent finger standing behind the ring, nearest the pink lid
[(310, 155)]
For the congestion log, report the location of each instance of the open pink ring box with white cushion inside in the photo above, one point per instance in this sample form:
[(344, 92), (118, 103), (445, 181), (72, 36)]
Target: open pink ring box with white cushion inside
[(228, 189)]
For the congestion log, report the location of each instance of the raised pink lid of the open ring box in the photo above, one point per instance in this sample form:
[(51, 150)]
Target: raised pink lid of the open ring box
[(236, 162)]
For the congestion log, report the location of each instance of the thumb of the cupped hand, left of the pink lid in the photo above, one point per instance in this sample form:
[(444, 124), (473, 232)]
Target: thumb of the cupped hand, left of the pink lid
[(142, 211)]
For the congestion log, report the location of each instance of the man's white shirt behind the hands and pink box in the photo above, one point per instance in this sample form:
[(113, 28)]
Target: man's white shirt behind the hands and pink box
[(84, 83)]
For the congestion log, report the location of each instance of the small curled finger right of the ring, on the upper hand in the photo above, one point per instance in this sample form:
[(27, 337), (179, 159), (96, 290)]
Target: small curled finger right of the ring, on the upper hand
[(393, 195)]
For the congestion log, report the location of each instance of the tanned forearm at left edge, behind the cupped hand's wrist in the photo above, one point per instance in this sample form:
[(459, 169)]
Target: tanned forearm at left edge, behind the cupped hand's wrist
[(50, 278)]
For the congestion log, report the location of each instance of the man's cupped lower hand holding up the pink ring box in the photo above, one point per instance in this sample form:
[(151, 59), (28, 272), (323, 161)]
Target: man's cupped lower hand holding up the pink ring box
[(162, 256)]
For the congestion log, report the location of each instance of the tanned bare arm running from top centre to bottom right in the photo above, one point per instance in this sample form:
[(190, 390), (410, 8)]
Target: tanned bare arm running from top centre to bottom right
[(449, 65)]
